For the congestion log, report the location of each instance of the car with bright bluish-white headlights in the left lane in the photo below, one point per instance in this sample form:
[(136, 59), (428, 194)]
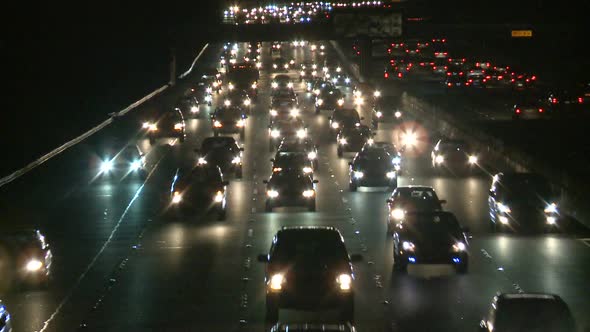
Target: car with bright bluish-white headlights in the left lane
[(118, 160)]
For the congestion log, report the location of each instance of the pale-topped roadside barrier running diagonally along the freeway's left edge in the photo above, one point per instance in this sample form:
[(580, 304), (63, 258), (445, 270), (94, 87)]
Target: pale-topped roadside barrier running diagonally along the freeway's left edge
[(41, 160)]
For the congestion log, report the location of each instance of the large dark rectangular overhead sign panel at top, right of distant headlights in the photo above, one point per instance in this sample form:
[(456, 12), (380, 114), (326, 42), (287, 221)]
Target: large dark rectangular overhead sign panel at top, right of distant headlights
[(375, 25)]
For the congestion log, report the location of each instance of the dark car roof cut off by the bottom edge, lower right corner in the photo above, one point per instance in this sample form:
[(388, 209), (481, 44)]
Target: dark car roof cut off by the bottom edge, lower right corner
[(543, 312)]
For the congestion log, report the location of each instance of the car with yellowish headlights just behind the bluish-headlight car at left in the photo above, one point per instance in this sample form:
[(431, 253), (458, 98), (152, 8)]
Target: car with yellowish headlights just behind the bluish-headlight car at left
[(166, 124)]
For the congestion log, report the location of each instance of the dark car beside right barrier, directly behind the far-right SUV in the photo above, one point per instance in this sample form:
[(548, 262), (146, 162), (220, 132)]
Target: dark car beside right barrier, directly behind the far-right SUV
[(455, 156)]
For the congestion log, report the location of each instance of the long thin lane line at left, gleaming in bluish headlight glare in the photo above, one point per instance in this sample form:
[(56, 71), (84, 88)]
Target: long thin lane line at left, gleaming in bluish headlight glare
[(90, 265)]
